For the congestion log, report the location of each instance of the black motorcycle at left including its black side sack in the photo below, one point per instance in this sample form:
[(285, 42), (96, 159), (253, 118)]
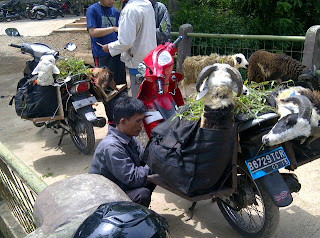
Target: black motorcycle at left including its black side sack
[(66, 104)]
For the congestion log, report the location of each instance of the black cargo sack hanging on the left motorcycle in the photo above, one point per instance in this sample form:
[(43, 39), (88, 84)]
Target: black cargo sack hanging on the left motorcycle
[(32, 100)]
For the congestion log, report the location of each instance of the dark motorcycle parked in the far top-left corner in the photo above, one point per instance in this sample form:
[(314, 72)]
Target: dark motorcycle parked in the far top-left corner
[(11, 10)]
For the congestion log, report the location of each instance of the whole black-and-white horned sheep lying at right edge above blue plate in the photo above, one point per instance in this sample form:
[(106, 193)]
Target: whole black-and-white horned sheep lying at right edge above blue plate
[(299, 109)]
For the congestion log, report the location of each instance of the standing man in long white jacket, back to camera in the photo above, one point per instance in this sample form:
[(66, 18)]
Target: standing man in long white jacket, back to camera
[(136, 37)]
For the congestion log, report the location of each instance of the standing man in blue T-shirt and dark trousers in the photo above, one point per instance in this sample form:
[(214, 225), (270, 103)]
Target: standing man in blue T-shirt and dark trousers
[(102, 24)]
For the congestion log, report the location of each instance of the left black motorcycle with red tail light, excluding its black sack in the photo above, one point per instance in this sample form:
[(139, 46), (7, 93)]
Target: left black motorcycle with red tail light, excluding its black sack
[(74, 113)]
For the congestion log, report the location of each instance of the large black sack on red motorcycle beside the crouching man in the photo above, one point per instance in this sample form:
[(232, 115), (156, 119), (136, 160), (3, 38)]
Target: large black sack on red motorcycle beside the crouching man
[(188, 158)]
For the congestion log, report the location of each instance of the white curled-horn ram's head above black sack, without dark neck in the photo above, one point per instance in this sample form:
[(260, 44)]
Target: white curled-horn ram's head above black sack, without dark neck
[(216, 83)]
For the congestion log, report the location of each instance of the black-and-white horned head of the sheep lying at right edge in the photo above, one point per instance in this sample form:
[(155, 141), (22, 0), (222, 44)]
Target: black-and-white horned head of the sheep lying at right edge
[(293, 125)]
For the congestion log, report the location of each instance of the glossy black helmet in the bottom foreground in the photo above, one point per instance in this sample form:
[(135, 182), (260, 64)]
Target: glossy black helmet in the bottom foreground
[(123, 219)]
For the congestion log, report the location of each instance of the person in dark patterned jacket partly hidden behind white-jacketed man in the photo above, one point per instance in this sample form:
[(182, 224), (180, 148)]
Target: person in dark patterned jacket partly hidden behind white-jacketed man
[(163, 23)]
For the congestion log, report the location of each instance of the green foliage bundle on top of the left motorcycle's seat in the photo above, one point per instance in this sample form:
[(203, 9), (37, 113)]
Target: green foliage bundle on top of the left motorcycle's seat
[(71, 66)]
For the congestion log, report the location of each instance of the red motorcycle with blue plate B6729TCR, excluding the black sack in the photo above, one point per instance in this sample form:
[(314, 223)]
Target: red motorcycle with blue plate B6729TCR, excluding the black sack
[(252, 189)]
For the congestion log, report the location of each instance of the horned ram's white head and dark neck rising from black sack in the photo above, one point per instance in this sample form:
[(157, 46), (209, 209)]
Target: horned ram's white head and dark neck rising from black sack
[(215, 83)]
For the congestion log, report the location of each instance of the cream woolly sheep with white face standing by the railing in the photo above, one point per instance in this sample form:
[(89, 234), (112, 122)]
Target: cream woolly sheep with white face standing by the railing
[(192, 66)]
